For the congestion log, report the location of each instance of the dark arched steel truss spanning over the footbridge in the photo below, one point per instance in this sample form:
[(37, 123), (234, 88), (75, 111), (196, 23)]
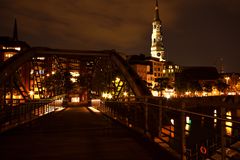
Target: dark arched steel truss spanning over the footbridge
[(40, 74)]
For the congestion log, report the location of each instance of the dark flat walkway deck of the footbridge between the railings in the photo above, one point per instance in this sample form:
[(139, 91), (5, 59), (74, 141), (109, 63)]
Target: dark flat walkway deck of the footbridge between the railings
[(76, 133)]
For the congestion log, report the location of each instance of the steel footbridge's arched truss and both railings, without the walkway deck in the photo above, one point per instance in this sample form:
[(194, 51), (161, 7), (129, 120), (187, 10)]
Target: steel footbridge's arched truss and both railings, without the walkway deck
[(41, 81)]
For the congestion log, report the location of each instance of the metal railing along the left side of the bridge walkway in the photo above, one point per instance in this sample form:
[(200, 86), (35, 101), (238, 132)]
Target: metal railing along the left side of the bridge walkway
[(12, 116)]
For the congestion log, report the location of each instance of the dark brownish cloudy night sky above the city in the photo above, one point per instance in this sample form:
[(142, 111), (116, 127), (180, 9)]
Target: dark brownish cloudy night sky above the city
[(196, 32)]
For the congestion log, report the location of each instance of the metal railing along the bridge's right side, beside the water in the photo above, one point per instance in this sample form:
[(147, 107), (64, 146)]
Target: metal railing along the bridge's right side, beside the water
[(185, 132)]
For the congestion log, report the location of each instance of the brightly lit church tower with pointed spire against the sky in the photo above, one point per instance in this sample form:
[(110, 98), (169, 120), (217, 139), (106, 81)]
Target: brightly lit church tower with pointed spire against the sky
[(157, 49)]
